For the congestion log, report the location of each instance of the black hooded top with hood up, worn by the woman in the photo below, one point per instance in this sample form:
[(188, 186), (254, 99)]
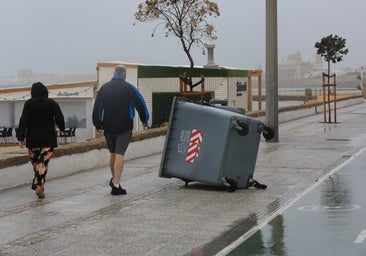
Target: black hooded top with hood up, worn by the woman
[(37, 122)]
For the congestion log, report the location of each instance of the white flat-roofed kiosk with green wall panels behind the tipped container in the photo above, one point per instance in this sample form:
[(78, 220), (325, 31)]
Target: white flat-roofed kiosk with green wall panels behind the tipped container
[(158, 84)]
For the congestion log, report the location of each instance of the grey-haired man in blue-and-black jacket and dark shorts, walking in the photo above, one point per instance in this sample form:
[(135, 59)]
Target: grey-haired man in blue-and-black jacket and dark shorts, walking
[(113, 114)]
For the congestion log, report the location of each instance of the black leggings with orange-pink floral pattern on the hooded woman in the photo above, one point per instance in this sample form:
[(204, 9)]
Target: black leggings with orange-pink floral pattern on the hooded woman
[(39, 159)]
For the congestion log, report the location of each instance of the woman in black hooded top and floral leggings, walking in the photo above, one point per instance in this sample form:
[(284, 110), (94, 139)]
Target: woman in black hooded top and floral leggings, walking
[(36, 131)]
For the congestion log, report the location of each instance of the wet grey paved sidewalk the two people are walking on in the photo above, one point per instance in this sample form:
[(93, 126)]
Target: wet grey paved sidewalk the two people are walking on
[(160, 216)]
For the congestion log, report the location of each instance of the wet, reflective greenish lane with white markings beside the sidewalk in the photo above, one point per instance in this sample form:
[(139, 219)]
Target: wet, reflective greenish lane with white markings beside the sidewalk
[(327, 220)]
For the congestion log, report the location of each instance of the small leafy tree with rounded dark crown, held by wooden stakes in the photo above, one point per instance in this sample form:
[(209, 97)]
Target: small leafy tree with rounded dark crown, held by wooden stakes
[(331, 48)]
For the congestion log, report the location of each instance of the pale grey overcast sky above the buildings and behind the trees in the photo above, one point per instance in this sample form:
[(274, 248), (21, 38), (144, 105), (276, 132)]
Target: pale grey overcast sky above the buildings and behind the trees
[(65, 37)]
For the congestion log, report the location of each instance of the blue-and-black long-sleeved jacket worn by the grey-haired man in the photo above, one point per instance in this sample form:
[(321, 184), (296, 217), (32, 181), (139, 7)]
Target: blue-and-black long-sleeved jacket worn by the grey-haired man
[(115, 104)]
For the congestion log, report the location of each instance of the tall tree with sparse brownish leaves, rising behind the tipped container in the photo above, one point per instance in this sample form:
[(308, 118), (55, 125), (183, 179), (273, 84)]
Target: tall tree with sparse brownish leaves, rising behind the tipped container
[(185, 19)]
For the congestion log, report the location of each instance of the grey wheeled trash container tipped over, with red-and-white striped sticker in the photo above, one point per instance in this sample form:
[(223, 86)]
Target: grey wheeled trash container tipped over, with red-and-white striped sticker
[(211, 145)]
